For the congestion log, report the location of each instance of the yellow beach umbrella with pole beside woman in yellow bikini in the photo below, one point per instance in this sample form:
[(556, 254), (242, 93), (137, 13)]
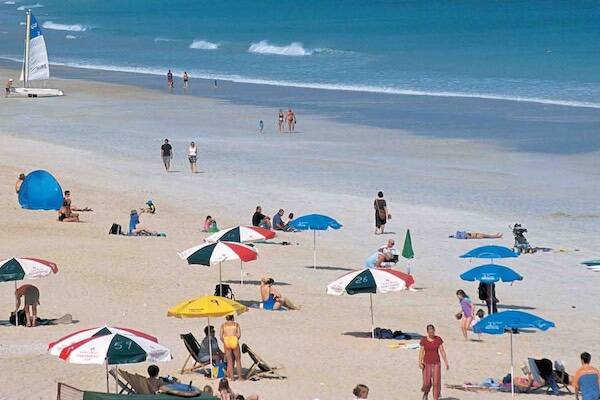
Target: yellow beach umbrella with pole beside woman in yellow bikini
[(206, 307)]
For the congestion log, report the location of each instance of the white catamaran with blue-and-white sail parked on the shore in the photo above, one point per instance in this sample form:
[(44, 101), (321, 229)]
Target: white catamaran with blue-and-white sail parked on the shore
[(35, 62)]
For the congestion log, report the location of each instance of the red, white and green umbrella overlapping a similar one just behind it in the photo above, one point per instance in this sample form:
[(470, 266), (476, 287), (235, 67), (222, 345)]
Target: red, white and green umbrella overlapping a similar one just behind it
[(216, 253)]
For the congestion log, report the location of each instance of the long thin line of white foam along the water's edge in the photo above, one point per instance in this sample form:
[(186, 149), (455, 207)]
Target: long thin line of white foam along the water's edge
[(328, 86)]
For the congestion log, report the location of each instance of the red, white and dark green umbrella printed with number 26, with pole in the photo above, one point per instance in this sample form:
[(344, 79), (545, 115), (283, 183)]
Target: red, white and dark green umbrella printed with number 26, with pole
[(370, 280)]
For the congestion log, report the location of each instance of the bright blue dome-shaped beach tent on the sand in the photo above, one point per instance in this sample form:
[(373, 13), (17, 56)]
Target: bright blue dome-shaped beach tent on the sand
[(40, 191)]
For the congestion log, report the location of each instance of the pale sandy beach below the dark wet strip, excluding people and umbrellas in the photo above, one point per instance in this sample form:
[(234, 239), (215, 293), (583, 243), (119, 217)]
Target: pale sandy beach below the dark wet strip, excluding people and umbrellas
[(102, 141)]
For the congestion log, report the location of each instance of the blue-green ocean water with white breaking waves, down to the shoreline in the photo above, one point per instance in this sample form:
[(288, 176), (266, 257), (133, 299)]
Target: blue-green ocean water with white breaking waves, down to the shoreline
[(545, 51)]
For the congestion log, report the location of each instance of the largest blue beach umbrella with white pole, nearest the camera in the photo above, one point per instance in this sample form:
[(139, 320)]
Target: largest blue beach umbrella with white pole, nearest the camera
[(506, 321)]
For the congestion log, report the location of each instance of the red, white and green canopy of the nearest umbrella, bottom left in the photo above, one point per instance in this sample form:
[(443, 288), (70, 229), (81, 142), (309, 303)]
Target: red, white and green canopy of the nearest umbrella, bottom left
[(115, 348)]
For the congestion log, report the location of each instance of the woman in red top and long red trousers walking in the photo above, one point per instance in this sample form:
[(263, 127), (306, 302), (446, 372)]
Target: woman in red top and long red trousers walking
[(432, 347)]
